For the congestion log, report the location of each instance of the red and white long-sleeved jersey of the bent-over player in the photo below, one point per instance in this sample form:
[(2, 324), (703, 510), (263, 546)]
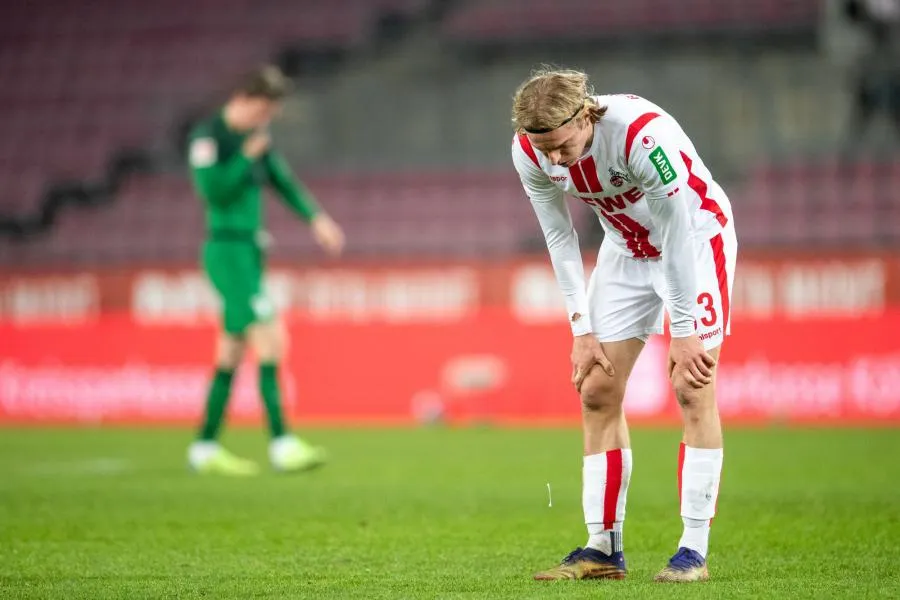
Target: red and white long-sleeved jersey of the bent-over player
[(650, 190)]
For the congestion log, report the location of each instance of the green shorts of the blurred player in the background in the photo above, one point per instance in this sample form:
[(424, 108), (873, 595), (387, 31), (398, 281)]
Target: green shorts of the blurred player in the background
[(236, 268)]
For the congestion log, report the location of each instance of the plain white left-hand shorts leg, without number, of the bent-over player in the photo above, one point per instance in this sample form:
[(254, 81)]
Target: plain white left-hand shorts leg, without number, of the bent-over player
[(623, 302)]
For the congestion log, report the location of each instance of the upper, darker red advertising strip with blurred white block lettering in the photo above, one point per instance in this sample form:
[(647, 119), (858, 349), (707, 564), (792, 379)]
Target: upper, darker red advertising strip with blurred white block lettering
[(766, 286)]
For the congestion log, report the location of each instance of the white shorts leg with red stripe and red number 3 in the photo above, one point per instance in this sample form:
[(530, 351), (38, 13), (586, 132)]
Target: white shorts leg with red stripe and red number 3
[(716, 260)]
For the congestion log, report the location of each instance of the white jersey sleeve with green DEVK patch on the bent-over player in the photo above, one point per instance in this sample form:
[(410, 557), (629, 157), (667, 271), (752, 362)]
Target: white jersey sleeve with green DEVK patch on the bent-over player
[(650, 160)]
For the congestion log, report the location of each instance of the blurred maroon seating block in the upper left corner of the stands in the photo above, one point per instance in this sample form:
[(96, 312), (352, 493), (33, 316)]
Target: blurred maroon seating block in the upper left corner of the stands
[(88, 78)]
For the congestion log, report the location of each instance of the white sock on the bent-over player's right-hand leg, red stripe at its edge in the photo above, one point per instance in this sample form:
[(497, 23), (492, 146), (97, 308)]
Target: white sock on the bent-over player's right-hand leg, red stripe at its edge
[(699, 472)]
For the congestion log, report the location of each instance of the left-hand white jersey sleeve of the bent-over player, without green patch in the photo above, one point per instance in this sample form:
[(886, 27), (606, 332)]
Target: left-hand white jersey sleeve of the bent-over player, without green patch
[(555, 220)]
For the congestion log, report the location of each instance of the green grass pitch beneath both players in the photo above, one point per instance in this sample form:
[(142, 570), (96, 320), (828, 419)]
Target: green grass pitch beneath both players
[(434, 513)]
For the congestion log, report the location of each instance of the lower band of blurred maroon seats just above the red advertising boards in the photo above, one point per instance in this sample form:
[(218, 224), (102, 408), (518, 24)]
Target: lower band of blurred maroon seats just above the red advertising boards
[(157, 219)]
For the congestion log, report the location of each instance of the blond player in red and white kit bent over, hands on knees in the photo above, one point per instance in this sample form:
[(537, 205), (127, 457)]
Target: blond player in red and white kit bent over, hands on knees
[(669, 245)]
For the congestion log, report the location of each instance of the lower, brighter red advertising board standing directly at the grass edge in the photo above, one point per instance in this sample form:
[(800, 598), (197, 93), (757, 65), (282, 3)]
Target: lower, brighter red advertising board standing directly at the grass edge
[(486, 365)]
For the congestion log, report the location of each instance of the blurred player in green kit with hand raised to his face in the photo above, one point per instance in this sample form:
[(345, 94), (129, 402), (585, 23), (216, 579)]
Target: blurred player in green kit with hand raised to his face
[(231, 159)]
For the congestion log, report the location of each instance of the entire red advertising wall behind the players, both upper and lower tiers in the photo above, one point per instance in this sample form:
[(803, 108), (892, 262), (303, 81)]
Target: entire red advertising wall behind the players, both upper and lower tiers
[(815, 340)]
